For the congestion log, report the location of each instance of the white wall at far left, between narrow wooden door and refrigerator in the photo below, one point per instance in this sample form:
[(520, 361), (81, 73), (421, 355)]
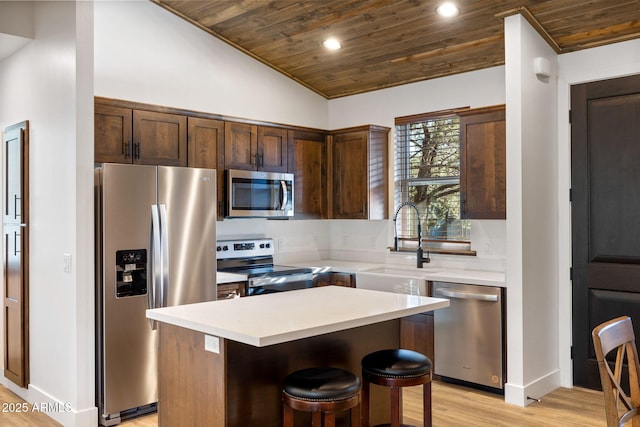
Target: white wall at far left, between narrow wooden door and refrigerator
[(49, 83)]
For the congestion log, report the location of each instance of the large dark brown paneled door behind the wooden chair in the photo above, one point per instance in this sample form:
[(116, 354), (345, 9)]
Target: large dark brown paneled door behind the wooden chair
[(605, 178)]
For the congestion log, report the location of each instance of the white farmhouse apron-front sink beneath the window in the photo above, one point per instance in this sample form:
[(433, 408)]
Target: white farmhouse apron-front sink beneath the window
[(394, 279)]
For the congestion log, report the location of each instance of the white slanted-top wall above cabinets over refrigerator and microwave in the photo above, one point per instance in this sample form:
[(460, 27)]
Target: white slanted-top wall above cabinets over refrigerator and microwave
[(144, 53)]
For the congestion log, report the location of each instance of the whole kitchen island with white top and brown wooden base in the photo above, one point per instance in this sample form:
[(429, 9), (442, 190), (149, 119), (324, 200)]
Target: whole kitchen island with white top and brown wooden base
[(222, 363)]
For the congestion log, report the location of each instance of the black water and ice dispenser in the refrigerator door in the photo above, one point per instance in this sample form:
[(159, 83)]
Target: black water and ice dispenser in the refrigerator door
[(131, 272)]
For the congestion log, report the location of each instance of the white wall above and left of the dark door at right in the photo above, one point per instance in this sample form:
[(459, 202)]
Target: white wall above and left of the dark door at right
[(618, 60)]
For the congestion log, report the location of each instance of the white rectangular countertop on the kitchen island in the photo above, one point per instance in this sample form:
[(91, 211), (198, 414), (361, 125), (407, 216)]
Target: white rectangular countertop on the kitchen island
[(281, 317)]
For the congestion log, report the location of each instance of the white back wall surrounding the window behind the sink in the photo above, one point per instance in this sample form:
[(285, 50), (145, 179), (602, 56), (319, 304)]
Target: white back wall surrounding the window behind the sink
[(475, 89)]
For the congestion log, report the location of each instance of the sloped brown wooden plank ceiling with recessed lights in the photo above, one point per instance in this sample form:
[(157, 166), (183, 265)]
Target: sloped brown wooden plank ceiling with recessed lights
[(393, 42)]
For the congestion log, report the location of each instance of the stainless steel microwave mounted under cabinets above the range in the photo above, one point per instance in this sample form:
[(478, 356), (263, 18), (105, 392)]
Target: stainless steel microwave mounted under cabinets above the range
[(258, 194)]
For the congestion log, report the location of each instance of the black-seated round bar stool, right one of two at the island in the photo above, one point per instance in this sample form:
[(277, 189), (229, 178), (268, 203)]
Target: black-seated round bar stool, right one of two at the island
[(396, 368)]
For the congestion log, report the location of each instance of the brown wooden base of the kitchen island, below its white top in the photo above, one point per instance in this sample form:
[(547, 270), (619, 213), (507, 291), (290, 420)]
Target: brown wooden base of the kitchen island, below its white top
[(243, 383)]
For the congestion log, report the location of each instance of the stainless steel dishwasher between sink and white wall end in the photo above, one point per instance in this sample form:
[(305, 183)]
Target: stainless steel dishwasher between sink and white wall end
[(469, 334)]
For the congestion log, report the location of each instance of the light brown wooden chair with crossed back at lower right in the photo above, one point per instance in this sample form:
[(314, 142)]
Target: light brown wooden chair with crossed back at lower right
[(617, 334)]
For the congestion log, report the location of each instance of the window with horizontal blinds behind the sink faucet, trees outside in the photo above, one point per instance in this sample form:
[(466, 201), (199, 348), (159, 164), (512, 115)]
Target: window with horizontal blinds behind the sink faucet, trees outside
[(427, 173)]
